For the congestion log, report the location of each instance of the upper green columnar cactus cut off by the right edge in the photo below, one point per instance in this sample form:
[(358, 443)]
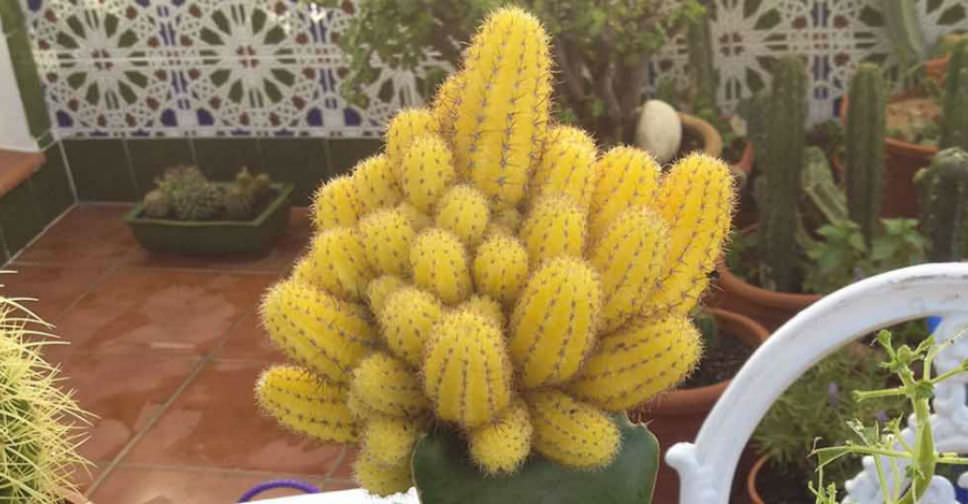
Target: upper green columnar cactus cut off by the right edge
[(954, 120)]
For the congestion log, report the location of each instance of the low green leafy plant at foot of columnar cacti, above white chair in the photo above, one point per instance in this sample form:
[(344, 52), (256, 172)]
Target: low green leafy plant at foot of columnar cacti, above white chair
[(841, 256)]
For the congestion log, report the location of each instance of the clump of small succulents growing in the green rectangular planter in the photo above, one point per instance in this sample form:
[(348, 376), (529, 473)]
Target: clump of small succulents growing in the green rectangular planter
[(184, 193)]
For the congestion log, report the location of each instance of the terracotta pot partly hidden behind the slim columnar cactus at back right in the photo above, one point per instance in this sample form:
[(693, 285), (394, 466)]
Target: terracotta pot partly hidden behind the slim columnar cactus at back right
[(902, 161)]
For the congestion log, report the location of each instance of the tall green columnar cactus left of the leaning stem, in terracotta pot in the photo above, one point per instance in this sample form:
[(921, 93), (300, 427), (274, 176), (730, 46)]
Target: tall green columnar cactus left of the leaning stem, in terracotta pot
[(784, 164)]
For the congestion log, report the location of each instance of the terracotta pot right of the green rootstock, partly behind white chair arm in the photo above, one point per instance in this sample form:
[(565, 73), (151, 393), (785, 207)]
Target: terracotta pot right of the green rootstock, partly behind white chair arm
[(677, 415)]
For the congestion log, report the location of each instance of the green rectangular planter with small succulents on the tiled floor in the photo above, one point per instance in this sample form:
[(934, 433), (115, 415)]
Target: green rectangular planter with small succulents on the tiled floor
[(189, 214)]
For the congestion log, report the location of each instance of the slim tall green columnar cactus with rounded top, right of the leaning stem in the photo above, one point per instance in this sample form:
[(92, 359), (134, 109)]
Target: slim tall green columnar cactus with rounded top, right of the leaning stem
[(866, 124)]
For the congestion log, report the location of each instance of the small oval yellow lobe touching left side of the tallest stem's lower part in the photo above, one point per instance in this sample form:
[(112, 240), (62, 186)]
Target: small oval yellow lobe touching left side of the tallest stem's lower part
[(426, 172)]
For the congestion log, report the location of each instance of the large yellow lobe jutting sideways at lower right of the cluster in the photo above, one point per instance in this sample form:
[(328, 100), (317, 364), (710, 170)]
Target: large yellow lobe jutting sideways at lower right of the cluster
[(634, 365)]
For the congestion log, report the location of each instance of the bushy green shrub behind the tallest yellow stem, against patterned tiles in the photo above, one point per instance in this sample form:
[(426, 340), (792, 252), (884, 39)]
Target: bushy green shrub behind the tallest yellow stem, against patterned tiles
[(601, 49)]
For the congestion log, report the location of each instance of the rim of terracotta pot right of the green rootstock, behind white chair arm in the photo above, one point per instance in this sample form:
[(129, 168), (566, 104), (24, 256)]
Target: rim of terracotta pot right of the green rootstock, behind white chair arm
[(685, 401)]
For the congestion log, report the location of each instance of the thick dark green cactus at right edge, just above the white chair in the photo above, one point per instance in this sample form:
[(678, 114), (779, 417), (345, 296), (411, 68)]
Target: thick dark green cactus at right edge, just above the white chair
[(944, 204)]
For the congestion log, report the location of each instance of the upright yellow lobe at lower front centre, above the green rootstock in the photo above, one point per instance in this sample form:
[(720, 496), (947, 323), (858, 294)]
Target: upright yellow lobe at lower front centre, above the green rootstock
[(467, 374)]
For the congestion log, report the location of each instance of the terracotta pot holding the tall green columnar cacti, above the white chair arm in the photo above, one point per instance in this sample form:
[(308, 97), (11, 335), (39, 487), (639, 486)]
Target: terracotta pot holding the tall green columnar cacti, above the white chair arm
[(770, 308)]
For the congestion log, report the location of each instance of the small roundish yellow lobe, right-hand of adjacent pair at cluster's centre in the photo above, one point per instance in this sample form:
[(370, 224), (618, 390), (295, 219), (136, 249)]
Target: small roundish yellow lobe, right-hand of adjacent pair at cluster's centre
[(501, 267)]
